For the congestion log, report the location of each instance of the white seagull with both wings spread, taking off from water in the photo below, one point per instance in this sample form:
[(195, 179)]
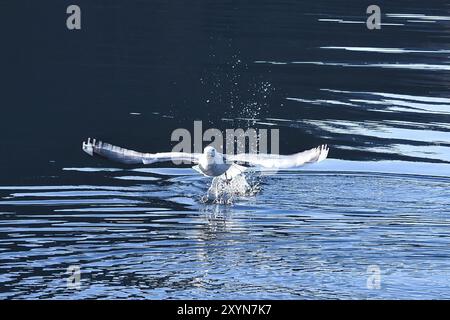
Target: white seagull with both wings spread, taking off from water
[(210, 163)]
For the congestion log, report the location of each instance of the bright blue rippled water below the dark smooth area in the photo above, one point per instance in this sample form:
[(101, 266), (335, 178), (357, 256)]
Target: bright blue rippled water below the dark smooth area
[(305, 235)]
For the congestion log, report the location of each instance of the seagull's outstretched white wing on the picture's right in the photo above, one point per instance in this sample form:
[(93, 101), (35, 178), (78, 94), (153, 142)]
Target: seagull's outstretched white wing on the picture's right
[(272, 161)]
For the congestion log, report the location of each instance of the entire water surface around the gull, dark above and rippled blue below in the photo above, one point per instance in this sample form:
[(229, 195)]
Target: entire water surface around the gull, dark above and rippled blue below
[(140, 69)]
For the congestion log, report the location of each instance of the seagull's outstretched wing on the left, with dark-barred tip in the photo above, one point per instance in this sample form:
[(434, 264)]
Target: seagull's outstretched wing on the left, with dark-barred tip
[(118, 154)]
